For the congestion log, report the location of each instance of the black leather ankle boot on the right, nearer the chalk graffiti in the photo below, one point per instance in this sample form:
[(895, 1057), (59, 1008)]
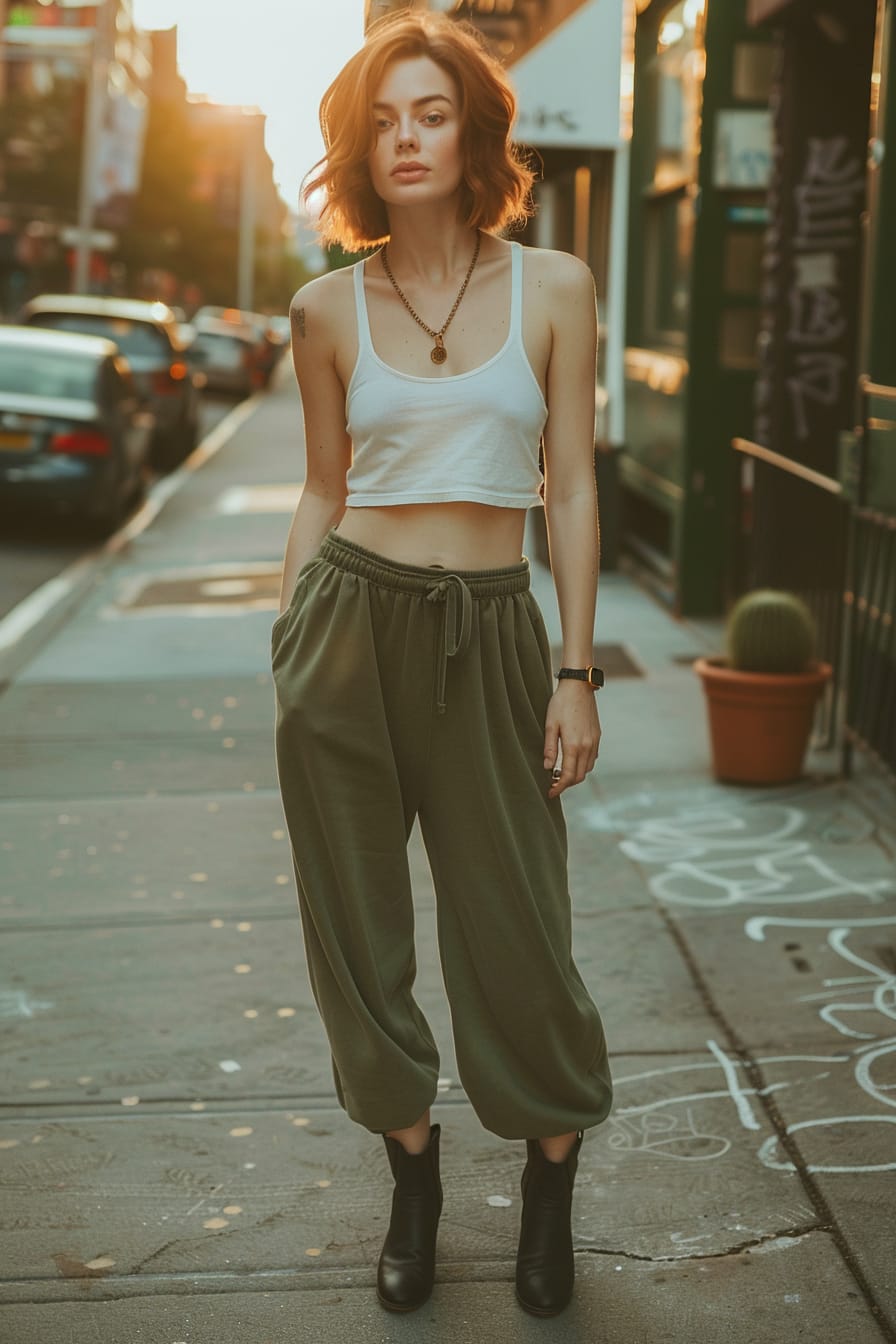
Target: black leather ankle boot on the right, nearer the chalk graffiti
[(545, 1264)]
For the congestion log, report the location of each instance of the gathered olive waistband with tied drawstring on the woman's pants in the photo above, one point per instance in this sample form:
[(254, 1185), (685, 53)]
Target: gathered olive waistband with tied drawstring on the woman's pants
[(457, 589)]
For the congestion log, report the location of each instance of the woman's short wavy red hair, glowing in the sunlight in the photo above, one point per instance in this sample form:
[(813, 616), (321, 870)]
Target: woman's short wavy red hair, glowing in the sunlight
[(498, 181)]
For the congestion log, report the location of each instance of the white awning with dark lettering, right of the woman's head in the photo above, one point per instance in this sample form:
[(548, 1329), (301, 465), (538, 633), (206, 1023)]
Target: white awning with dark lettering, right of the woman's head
[(570, 84)]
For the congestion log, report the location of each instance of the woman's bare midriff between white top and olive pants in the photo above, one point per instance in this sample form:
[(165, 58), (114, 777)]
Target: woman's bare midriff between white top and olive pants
[(455, 537)]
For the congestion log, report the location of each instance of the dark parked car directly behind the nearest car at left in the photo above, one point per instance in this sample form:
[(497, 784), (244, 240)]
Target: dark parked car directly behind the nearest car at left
[(148, 337)]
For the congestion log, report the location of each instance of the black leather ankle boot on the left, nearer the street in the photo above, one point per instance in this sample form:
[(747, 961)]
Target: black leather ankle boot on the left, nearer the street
[(408, 1264)]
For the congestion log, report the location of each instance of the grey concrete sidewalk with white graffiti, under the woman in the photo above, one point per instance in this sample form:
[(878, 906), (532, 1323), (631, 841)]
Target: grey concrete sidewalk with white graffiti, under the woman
[(173, 1161)]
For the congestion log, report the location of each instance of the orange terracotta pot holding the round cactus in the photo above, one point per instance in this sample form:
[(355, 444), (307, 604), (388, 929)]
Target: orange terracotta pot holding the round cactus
[(760, 722)]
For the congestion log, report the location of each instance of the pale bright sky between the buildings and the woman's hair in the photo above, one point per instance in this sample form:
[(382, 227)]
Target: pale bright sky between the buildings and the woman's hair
[(271, 54)]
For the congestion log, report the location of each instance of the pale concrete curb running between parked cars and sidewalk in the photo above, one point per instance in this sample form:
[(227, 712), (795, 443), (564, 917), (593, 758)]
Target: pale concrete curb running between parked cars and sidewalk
[(33, 623)]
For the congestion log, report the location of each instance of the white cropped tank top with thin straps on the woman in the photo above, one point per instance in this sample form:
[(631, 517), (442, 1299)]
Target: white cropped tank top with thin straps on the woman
[(459, 437)]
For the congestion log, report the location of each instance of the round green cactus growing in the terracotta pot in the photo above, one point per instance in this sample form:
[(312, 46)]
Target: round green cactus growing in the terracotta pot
[(770, 632)]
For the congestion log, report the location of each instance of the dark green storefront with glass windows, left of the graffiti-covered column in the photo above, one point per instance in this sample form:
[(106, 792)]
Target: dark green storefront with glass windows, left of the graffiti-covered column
[(702, 166)]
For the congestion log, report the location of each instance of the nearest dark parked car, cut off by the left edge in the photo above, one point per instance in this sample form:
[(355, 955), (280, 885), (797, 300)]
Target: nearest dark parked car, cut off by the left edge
[(75, 435)]
